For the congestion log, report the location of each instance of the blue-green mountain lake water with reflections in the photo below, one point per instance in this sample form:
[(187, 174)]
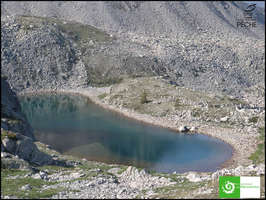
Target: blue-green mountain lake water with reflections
[(73, 125)]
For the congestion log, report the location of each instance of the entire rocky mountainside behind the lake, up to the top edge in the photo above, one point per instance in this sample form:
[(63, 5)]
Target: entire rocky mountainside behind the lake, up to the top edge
[(191, 44)]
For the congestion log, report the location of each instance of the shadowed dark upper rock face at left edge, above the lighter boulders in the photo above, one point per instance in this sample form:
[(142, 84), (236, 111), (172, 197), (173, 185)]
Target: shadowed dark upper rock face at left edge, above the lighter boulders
[(11, 116)]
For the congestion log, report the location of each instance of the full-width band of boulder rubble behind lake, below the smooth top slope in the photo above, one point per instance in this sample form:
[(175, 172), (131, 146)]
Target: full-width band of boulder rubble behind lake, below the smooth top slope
[(48, 53)]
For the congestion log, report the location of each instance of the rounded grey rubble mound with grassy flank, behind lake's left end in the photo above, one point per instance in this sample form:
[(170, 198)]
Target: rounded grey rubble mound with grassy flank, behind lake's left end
[(49, 53)]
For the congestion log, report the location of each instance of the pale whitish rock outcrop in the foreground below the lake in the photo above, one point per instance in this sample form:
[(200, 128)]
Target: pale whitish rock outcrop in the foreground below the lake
[(129, 184)]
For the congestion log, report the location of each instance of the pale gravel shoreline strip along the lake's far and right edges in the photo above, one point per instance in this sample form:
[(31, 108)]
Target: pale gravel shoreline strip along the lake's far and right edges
[(92, 94)]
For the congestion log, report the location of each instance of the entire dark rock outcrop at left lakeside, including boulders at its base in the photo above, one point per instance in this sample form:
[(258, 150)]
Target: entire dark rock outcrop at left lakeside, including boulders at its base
[(17, 137)]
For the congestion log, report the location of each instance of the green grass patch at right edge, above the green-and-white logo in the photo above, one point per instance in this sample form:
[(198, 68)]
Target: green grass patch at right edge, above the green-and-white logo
[(259, 155)]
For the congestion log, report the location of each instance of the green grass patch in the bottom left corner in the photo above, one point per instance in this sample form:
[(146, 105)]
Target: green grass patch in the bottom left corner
[(12, 187)]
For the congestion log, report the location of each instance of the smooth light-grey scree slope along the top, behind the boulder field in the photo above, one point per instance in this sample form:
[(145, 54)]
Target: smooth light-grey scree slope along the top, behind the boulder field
[(149, 18)]
